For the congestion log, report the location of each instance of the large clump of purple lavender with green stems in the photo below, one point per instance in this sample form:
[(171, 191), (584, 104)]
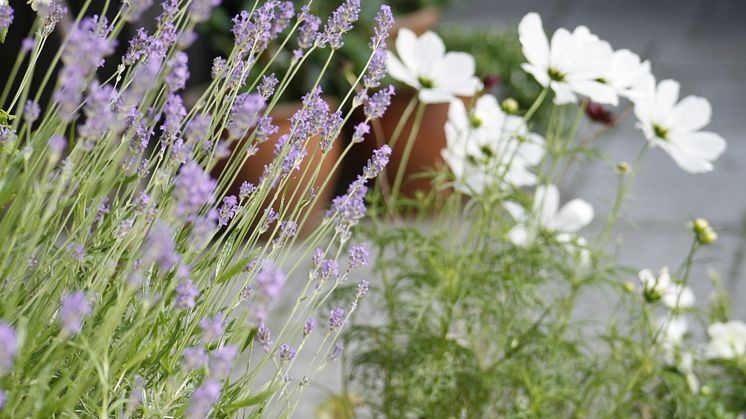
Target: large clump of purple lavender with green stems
[(123, 253)]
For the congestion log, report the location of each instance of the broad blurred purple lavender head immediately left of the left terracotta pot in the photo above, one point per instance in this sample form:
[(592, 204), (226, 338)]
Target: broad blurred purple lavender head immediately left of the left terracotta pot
[(193, 188)]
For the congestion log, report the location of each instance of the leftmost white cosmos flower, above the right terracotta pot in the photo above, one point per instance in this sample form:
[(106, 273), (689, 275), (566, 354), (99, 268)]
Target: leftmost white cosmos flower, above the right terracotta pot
[(424, 64)]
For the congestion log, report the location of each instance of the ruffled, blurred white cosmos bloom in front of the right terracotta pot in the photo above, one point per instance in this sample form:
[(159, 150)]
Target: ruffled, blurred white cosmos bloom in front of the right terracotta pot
[(487, 147)]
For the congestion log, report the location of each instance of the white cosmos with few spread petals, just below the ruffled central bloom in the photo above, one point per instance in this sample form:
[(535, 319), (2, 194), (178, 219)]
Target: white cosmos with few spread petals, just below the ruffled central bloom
[(565, 221)]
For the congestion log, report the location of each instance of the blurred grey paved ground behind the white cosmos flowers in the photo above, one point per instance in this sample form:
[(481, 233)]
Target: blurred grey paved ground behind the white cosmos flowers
[(701, 44)]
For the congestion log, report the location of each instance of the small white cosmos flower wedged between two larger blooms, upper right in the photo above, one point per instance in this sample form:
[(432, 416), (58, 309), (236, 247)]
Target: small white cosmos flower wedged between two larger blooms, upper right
[(626, 73)]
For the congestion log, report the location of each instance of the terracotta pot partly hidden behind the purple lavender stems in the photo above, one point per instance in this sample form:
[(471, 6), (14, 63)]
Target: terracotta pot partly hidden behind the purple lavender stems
[(252, 169)]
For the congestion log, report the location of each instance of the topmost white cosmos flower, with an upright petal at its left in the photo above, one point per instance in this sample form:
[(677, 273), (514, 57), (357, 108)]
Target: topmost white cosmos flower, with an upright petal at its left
[(573, 63)]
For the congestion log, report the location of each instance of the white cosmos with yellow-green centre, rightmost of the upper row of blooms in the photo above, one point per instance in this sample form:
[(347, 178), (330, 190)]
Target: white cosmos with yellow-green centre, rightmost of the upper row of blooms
[(675, 127)]
